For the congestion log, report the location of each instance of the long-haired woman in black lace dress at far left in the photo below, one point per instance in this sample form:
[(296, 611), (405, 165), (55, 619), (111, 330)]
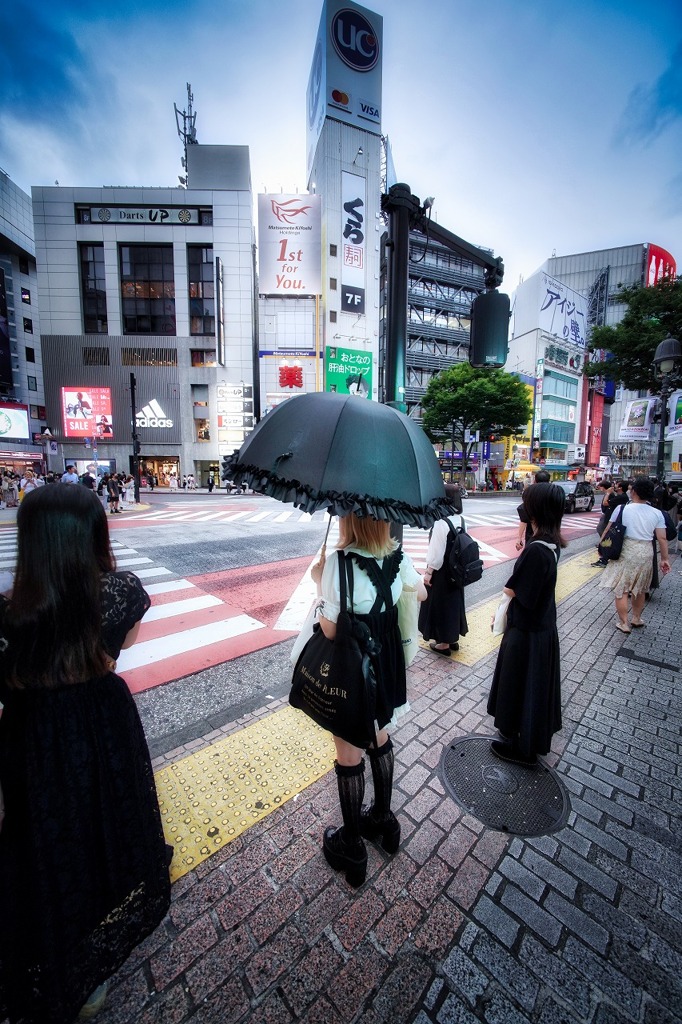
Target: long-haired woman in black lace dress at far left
[(83, 863)]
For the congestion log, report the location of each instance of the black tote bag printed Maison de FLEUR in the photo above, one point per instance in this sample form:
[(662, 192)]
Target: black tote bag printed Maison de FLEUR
[(334, 681)]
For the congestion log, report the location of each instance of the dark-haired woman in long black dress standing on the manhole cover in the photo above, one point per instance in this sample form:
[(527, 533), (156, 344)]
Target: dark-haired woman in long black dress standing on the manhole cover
[(526, 696)]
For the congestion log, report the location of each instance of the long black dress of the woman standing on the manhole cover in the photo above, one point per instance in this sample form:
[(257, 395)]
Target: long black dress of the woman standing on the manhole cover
[(526, 696)]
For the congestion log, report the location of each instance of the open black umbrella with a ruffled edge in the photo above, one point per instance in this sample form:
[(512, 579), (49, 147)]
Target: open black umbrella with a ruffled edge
[(345, 454)]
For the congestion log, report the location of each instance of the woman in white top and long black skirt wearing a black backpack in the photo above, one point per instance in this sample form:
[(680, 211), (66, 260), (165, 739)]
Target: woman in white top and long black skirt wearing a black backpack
[(443, 617)]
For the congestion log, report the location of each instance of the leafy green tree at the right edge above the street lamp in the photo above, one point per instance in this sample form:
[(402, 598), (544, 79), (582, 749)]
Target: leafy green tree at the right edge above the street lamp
[(652, 315)]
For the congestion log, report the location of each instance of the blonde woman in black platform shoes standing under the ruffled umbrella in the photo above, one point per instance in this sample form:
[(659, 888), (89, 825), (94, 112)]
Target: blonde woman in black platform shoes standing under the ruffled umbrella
[(371, 550)]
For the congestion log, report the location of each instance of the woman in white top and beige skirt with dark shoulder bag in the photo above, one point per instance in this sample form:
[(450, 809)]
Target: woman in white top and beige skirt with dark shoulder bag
[(633, 572)]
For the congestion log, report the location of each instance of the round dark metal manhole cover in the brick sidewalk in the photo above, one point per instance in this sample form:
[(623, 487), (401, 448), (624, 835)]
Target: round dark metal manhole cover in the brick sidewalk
[(506, 797)]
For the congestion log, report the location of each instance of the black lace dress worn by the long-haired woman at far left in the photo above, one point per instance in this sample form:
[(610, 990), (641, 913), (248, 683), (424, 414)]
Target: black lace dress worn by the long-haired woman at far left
[(83, 863)]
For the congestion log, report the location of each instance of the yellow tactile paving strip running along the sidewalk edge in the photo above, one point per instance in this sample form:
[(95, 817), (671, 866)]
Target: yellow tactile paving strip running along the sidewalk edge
[(210, 798)]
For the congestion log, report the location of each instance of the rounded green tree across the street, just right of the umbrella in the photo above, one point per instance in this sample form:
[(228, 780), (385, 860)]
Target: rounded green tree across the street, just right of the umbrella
[(461, 399)]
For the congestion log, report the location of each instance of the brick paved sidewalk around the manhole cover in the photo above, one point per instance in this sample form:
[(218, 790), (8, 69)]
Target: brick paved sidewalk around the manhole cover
[(464, 924)]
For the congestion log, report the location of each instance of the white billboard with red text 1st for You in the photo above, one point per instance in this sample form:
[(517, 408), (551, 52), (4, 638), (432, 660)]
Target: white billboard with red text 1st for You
[(290, 245)]
